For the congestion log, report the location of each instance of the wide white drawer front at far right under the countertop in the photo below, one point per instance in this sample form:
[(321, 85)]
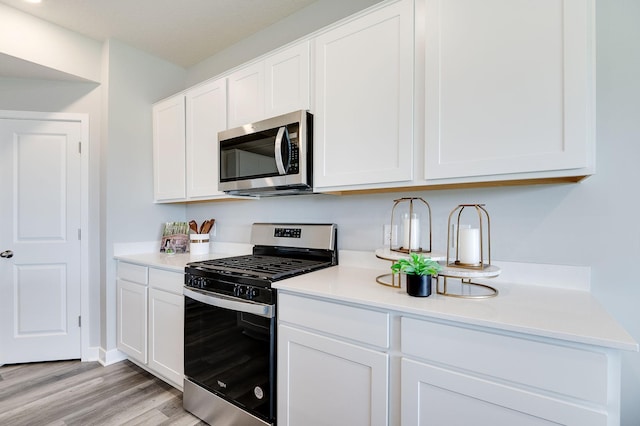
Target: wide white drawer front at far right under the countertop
[(575, 372)]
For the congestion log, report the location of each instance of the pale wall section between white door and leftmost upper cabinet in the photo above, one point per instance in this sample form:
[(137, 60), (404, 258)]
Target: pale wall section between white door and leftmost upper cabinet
[(134, 80)]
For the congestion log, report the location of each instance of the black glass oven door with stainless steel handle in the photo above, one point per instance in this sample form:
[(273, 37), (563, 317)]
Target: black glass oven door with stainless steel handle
[(229, 350)]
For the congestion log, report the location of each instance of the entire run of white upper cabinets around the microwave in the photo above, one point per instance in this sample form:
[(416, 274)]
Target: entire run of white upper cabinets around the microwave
[(408, 93)]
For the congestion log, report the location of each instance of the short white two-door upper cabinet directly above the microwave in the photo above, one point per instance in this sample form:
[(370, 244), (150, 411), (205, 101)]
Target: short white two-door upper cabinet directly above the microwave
[(277, 84)]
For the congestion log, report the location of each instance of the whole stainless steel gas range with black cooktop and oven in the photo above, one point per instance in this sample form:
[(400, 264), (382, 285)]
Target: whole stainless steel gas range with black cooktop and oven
[(230, 321)]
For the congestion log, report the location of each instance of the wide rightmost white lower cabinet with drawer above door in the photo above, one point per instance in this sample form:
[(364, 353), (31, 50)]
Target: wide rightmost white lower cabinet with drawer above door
[(458, 376)]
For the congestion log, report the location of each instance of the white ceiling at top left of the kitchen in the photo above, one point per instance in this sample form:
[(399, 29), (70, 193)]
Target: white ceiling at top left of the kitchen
[(183, 32)]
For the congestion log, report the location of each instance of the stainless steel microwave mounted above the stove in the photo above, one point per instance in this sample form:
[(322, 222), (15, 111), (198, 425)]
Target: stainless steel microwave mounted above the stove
[(269, 157)]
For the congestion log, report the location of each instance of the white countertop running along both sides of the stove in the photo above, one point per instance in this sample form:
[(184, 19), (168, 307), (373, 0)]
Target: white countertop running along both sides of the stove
[(563, 313)]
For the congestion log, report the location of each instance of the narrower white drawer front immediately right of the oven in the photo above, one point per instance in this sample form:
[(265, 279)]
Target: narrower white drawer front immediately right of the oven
[(361, 325)]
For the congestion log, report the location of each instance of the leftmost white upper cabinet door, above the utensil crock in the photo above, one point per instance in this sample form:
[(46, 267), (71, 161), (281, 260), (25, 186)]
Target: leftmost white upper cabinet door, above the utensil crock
[(169, 149)]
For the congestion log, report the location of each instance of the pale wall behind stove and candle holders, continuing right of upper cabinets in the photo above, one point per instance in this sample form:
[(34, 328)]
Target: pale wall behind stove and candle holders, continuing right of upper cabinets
[(591, 223)]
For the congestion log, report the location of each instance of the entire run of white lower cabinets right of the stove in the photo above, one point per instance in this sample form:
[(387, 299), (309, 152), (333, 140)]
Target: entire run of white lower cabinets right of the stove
[(348, 364)]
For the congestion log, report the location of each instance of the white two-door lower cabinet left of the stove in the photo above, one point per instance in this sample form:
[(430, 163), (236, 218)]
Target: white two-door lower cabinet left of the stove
[(150, 327)]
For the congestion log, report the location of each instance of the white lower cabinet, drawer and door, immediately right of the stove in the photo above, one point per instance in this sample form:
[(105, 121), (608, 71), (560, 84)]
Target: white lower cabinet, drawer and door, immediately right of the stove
[(326, 378)]
